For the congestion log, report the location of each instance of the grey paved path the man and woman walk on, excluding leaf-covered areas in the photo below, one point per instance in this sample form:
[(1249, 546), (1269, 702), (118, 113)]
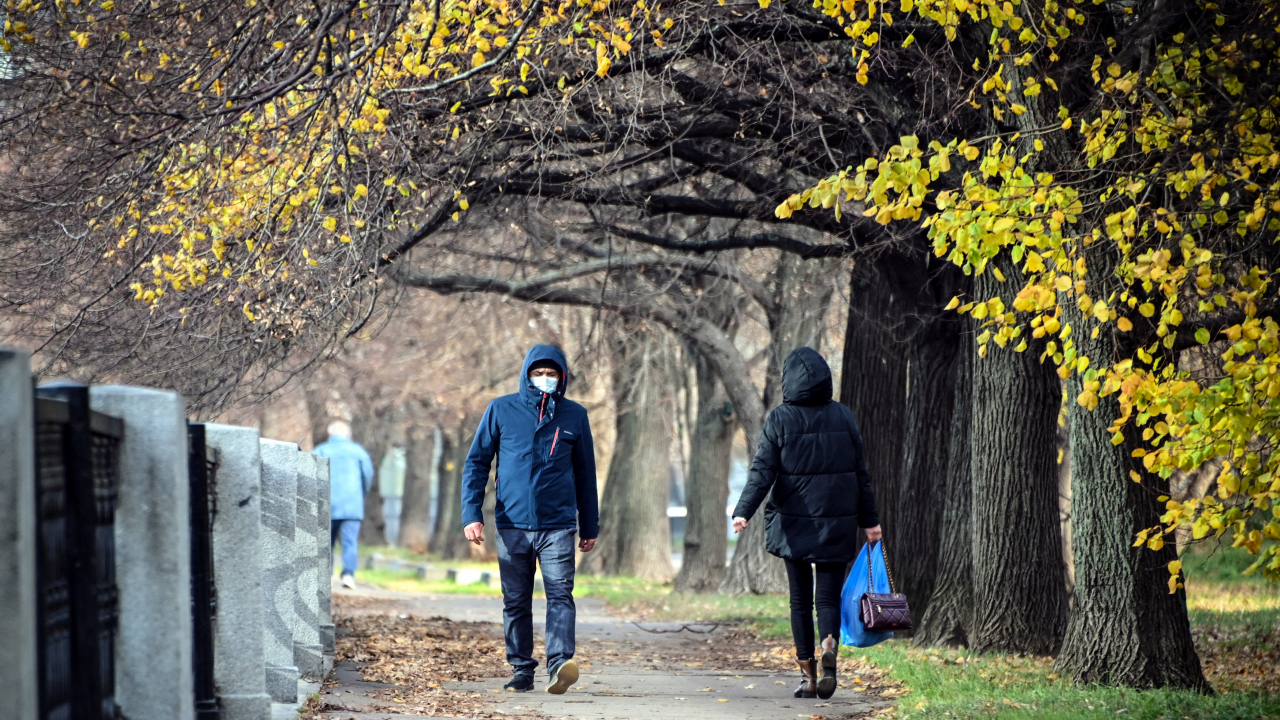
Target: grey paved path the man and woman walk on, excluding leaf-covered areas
[(647, 672)]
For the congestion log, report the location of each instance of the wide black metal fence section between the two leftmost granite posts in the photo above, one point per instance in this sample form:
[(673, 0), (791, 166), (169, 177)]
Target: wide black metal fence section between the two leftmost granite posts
[(77, 599)]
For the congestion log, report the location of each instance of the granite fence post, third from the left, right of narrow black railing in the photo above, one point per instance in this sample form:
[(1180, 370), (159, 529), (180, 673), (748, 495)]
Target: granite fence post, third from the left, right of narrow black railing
[(239, 662)]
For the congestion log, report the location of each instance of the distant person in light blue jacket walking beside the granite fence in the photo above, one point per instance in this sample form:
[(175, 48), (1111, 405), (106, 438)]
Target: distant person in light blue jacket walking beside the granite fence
[(351, 477)]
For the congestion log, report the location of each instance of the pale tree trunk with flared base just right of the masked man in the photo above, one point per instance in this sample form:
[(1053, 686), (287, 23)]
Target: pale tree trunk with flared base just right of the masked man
[(636, 535)]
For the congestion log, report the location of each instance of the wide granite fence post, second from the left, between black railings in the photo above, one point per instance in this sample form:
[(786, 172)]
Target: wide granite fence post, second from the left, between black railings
[(153, 554)]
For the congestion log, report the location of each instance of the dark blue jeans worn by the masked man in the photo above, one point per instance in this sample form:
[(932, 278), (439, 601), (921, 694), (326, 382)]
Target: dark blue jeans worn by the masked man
[(518, 553)]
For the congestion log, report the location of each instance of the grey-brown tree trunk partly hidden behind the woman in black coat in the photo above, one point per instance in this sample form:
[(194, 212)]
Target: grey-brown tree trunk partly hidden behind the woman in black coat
[(801, 302)]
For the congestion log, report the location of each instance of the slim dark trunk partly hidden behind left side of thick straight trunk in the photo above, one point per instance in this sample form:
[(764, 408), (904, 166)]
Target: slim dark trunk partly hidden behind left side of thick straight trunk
[(949, 614)]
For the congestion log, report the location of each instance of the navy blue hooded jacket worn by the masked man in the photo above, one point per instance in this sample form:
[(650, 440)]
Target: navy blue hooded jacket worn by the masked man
[(546, 458)]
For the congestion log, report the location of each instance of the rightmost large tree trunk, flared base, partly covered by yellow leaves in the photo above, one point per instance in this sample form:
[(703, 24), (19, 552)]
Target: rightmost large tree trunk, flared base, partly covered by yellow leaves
[(1127, 628)]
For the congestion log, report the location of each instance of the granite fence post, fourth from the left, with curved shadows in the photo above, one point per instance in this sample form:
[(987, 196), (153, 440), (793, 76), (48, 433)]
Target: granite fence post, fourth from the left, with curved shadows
[(280, 567)]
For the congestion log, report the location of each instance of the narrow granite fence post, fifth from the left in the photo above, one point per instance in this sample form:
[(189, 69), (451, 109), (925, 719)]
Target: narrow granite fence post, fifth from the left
[(308, 653)]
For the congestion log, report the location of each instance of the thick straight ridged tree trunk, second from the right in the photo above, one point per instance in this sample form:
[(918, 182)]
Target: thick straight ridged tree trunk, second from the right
[(1020, 587)]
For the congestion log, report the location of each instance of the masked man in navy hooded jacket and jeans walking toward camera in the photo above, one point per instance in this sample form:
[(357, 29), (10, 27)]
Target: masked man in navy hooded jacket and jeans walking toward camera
[(546, 494)]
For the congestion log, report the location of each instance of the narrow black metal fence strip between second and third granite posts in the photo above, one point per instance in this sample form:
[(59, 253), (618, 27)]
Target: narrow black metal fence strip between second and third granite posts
[(203, 473)]
